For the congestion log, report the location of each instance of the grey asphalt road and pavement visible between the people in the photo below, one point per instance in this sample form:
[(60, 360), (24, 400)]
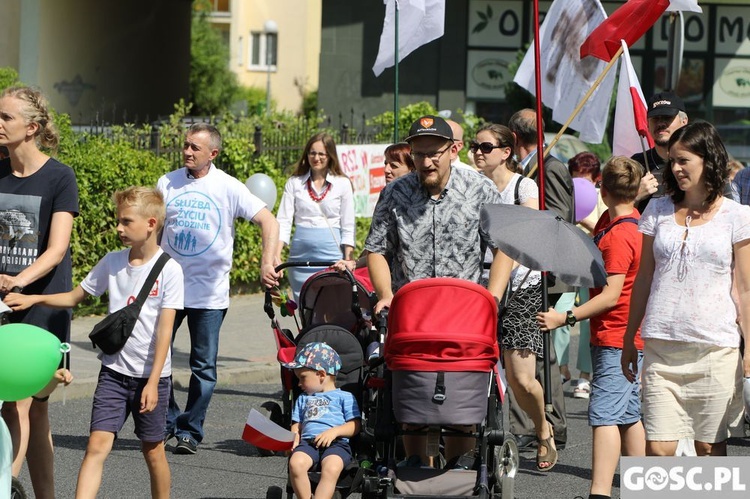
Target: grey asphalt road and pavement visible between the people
[(227, 467)]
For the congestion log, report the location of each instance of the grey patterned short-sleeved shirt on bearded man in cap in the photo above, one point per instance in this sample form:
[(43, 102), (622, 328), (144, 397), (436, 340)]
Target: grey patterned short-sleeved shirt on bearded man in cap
[(428, 237)]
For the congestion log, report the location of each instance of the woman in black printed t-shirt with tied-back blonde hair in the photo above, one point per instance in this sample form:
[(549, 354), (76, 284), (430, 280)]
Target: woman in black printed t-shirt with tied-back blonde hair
[(38, 201)]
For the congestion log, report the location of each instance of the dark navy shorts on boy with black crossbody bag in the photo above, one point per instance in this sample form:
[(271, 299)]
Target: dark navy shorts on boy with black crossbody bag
[(118, 395)]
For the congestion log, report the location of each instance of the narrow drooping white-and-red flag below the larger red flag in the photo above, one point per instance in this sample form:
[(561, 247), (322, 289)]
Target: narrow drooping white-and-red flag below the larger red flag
[(631, 123)]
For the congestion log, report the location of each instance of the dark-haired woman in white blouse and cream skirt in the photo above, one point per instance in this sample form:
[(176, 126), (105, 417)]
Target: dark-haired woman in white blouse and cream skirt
[(695, 251)]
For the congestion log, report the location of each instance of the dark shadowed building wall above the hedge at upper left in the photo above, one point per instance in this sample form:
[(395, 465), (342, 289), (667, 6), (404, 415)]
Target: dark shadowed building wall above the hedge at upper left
[(112, 62)]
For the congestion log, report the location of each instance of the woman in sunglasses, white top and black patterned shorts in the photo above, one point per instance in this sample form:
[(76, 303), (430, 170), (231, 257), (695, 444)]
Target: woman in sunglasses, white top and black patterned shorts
[(521, 338)]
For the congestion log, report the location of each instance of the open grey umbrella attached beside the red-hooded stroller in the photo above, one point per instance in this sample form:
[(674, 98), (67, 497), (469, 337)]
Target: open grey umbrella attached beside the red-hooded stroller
[(541, 240)]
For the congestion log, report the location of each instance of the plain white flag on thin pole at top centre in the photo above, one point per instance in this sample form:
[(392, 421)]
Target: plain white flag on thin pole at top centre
[(420, 22)]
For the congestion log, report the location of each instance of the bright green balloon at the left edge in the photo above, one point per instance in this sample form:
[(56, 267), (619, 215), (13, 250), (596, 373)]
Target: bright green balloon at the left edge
[(29, 357)]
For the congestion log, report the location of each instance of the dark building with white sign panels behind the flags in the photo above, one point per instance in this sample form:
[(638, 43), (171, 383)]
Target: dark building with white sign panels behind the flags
[(468, 67)]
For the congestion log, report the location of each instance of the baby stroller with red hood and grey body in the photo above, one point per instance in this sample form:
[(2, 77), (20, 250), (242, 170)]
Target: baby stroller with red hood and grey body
[(441, 352)]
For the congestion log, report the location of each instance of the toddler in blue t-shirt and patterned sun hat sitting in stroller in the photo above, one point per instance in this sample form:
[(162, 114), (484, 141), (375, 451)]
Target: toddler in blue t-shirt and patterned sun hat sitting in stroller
[(323, 420)]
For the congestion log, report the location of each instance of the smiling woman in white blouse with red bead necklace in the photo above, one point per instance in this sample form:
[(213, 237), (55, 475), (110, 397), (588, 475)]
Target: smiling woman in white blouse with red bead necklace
[(319, 200)]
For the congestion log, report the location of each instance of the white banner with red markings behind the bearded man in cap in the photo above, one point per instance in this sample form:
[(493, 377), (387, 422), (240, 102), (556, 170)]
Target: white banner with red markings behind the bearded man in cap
[(364, 164)]
